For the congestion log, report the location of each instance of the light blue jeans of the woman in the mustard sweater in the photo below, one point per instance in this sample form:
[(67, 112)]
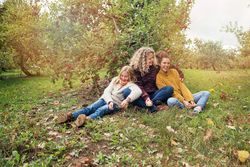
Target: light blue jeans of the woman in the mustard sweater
[(200, 99)]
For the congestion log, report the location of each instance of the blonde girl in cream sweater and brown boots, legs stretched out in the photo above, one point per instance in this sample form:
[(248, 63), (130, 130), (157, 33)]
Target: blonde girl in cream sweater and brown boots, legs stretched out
[(111, 101)]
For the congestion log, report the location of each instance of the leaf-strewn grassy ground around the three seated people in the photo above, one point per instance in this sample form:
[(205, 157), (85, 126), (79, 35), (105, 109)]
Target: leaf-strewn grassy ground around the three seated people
[(29, 137)]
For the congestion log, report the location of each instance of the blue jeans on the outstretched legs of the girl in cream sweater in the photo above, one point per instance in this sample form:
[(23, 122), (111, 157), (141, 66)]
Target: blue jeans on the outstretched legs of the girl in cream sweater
[(96, 110)]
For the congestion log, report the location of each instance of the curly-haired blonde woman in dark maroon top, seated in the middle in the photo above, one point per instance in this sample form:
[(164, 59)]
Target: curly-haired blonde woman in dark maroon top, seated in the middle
[(145, 69)]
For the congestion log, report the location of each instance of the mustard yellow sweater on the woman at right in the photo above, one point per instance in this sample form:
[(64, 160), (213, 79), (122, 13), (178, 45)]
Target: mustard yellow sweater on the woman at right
[(171, 78)]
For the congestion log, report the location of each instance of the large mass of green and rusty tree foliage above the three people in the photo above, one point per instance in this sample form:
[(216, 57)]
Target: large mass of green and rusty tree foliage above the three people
[(80, 37)]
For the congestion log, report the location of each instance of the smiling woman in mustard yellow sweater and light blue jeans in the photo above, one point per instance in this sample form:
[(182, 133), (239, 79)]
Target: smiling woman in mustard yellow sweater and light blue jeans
[(182, 97)]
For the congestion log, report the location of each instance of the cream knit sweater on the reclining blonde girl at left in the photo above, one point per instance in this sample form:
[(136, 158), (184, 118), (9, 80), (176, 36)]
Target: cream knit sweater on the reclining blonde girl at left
[(113, 93)]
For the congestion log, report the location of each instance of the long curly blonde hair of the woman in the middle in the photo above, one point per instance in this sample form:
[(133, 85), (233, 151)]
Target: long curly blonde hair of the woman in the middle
[(139, 59)]
